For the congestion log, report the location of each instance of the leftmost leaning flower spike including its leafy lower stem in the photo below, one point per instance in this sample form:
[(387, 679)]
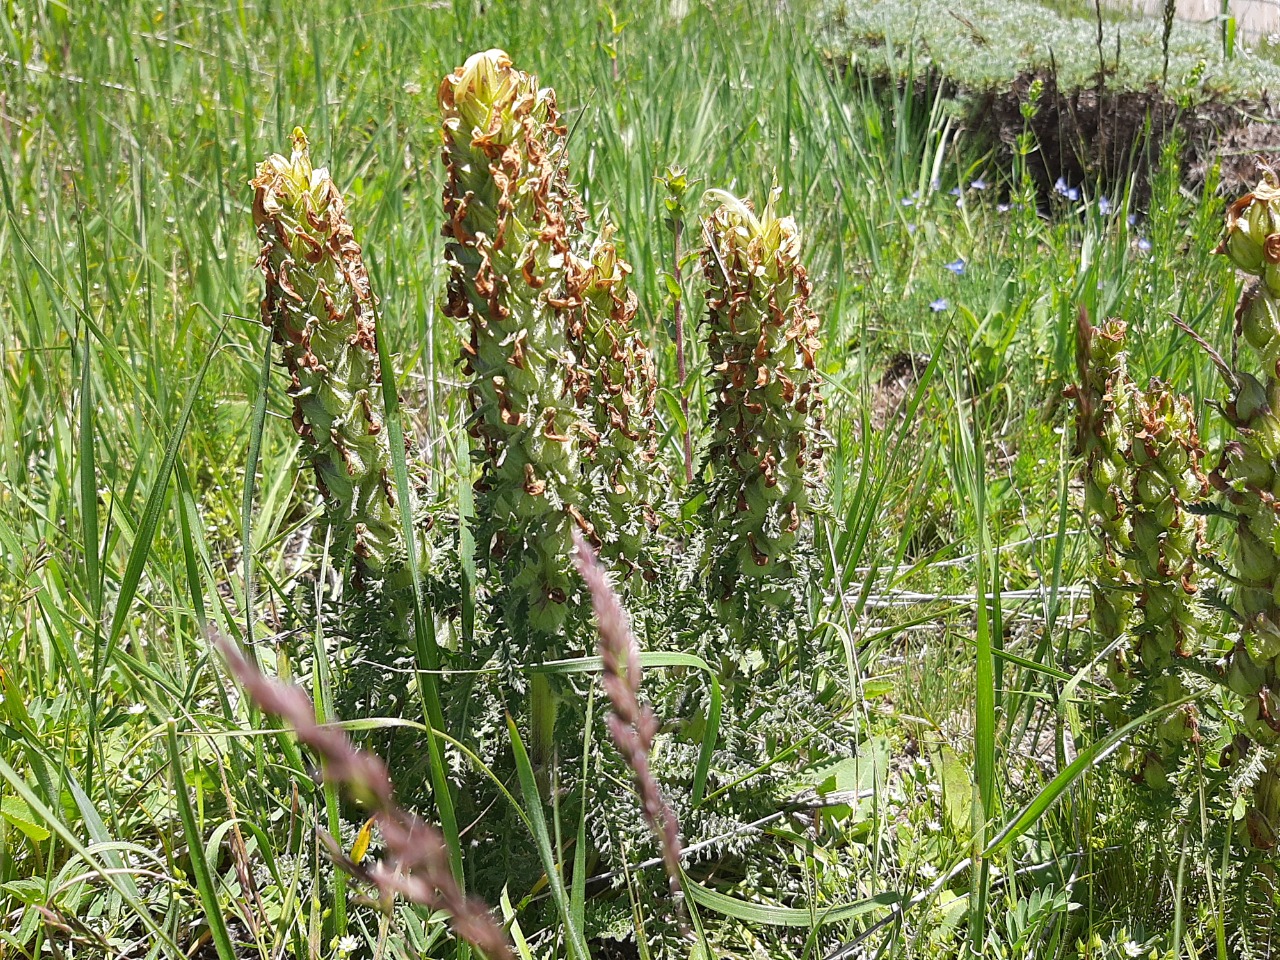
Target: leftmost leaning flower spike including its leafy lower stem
[(323, 313)]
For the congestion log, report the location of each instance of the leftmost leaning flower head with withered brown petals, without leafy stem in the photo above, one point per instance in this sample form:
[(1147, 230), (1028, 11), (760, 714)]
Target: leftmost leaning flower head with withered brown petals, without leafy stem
[(322, 312)]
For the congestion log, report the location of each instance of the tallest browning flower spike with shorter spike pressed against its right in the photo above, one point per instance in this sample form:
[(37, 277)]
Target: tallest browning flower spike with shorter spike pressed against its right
[(561, 388)]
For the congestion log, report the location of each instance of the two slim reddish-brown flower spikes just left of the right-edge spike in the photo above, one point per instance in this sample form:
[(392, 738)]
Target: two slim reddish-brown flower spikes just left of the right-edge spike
[(1142, 473)]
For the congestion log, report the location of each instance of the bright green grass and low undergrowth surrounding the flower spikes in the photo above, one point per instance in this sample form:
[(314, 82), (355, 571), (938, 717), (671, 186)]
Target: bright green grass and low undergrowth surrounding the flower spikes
[(945, 607)]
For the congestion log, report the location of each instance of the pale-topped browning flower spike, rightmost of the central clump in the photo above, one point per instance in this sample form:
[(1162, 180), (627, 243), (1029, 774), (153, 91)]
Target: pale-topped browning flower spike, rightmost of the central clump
[(766, 418)]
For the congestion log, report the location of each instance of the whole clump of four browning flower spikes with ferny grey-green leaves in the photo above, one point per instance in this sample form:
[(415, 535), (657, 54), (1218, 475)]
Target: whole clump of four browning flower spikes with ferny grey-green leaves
[(560, 394)]
